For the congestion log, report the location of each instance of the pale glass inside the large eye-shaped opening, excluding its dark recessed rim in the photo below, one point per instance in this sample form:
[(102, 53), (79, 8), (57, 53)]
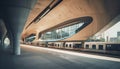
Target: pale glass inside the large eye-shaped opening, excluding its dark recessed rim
[(62, 33)]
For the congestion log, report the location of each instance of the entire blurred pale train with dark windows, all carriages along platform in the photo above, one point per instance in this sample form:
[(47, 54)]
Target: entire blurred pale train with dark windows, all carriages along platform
[(94, 46)]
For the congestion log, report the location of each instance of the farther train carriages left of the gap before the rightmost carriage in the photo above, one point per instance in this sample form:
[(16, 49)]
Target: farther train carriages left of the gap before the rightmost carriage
[(63, 45)]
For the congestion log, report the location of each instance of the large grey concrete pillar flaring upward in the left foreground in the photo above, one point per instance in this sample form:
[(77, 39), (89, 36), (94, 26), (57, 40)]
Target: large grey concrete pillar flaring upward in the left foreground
[(15, 14)]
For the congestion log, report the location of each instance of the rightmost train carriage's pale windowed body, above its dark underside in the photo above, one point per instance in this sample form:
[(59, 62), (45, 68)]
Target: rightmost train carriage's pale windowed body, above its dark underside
[(106, 46)]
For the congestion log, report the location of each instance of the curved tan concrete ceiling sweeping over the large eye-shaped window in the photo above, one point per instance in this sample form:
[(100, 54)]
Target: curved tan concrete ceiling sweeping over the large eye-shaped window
[(102, 12)]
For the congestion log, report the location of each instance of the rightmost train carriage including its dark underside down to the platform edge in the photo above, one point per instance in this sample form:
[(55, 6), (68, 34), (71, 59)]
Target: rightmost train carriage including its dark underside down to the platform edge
[(103, 47)]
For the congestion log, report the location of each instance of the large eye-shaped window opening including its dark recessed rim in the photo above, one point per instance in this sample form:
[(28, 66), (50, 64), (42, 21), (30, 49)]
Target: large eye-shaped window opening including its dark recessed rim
[(67, 30)]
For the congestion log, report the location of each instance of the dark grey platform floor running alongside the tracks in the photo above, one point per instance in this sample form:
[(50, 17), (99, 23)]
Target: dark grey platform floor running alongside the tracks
[(41, 58)]
